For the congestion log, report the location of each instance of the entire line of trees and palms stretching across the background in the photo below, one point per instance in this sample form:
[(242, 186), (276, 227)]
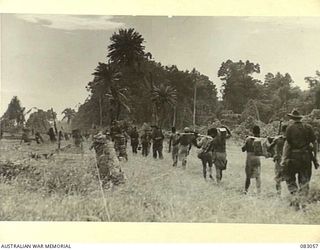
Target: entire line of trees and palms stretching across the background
[(130, 85)]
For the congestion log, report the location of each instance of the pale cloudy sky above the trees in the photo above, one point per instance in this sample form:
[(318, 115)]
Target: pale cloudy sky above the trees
[(47, 60)]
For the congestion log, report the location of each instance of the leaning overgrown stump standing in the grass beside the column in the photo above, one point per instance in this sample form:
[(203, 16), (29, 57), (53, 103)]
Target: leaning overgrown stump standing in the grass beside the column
[(107, 162)]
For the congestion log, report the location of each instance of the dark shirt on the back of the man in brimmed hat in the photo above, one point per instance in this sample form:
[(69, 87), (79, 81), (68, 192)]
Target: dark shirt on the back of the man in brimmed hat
[(299, 135)]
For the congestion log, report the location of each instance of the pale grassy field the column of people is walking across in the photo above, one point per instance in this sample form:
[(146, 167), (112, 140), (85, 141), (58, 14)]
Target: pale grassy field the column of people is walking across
[(65, 188)]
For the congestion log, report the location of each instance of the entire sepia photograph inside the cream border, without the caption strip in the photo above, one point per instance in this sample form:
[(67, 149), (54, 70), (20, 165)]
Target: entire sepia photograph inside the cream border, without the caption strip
[(132, 118)]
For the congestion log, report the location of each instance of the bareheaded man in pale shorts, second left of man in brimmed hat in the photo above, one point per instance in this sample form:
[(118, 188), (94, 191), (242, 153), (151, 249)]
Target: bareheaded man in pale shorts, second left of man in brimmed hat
[(253, 164)]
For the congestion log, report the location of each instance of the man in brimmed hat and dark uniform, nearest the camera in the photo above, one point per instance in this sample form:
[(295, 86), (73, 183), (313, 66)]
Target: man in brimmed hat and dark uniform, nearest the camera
[(298, 155)]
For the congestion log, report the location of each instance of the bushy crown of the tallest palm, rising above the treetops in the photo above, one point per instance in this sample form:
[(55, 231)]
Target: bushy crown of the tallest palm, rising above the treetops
[(126, 47)]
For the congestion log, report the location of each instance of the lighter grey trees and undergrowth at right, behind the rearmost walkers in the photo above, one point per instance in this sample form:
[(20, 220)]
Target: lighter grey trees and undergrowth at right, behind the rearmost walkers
[(270, 100)]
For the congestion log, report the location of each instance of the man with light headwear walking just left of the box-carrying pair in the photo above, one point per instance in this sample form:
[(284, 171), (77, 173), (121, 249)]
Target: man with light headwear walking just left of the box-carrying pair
[(185, 142)]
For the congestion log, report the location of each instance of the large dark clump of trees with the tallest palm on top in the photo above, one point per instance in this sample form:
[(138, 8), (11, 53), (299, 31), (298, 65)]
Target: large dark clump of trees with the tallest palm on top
[(133, 86)]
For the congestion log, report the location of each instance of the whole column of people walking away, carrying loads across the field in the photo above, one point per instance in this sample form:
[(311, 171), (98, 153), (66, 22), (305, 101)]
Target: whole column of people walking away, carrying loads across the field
[(293, 152)]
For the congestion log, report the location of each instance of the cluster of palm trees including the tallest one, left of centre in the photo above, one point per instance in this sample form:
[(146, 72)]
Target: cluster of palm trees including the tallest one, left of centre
[(111, 85)]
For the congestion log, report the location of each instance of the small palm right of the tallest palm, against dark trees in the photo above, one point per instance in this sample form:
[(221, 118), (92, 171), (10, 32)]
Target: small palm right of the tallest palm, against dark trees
[(163, 96)]
